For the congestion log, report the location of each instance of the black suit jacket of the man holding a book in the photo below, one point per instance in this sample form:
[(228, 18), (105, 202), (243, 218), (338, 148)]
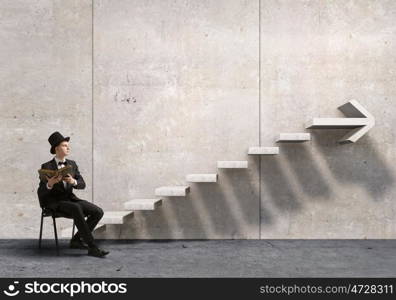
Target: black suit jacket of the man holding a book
[(50, 198)]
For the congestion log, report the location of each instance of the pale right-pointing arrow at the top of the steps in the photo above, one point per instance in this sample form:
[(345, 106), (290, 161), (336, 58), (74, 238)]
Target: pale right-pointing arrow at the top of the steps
[(358, 118)]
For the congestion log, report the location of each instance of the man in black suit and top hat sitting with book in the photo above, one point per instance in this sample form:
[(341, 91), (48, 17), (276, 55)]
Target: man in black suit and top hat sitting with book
[(57, 194)]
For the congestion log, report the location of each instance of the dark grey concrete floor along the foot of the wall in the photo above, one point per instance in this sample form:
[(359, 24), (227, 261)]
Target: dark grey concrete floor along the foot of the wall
[(203, 258)]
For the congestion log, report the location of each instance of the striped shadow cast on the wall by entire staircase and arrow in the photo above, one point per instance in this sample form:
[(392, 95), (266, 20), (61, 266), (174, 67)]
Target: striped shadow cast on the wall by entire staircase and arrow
[(214, 211)]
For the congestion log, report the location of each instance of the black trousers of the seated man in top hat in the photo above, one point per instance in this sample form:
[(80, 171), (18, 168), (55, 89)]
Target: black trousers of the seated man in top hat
[(79, 209)]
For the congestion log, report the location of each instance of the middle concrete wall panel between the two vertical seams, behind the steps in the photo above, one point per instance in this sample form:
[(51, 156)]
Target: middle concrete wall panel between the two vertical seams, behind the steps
[(176, 89)]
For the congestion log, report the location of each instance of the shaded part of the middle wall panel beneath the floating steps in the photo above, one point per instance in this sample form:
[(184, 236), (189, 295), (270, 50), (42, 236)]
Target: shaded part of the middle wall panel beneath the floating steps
[(210, 210)]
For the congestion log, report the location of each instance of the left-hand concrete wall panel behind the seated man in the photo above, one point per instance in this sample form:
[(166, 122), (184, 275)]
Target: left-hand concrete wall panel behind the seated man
[(45, 83)]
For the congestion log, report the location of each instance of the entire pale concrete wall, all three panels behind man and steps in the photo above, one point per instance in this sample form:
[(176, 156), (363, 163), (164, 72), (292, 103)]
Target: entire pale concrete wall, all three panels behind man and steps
[(176, 88)]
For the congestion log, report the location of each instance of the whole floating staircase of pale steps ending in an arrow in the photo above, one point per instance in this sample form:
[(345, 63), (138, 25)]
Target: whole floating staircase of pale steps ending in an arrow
[(360, 120)]
